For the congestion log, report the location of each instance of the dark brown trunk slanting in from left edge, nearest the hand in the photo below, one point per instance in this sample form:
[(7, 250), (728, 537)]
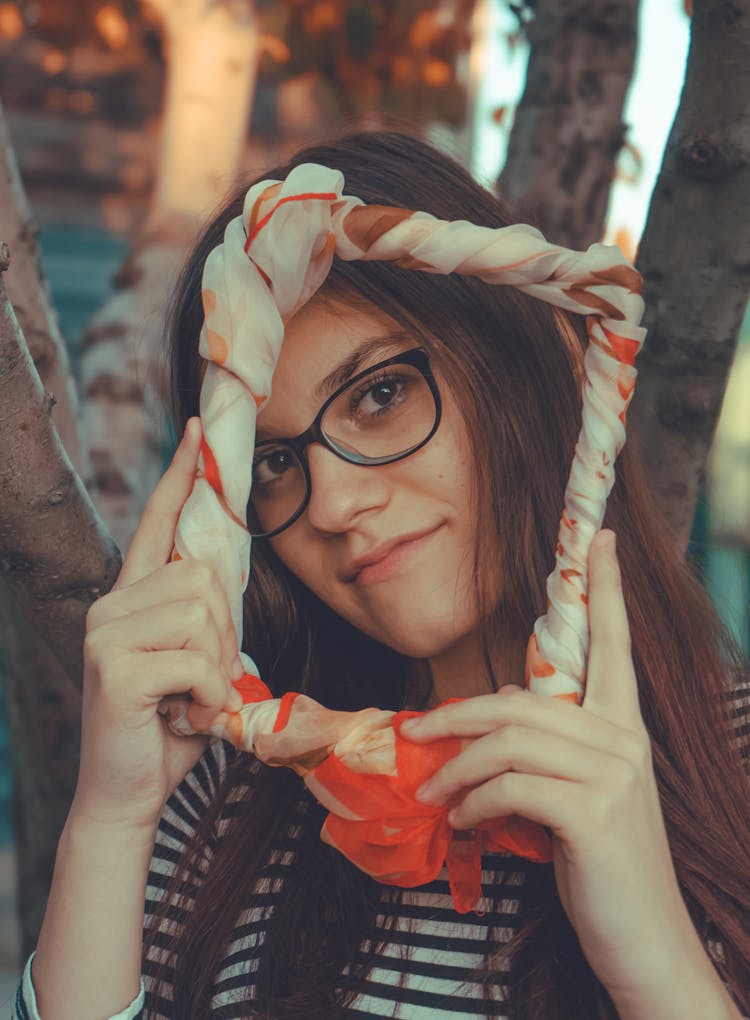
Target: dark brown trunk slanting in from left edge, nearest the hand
[(55, 551)]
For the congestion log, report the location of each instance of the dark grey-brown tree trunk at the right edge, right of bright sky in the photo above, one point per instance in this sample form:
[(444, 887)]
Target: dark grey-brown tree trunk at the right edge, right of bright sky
[(695, 260)]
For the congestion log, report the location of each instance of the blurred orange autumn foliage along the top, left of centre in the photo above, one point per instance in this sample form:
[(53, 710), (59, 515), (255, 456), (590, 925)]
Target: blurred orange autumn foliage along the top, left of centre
[(396, 57)]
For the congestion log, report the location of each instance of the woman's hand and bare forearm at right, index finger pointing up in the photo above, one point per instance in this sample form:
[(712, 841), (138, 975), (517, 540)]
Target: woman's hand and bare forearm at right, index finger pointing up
[(585, 773)]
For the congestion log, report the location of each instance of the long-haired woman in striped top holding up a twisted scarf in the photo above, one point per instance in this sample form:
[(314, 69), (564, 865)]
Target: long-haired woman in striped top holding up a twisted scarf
[(405, 586)]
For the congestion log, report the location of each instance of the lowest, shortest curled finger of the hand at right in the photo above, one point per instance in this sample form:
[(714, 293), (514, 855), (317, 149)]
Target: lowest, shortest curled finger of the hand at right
[(540, 799)]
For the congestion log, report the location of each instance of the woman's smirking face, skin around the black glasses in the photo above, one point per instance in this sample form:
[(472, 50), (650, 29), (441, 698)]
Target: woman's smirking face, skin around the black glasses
[(418, 598)]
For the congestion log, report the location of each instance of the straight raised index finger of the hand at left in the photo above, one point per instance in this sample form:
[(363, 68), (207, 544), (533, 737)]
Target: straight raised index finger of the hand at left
[(155, 538)]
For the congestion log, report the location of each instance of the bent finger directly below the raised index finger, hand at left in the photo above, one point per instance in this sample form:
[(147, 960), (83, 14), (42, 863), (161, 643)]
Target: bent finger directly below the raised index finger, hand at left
[(184, 580)]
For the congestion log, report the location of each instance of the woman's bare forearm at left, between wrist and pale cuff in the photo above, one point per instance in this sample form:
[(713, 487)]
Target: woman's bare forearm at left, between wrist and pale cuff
[(88, 961)]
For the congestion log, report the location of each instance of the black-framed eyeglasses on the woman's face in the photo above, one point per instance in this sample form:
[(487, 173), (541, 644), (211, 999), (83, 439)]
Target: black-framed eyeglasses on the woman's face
[(381, 416)]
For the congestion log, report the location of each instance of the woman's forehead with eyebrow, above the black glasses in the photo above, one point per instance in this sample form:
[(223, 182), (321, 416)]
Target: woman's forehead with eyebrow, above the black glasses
[(324, 343)]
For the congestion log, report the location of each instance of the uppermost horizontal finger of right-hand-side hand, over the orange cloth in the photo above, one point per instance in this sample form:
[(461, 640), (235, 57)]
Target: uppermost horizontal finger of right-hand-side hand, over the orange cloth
[(475, 718)]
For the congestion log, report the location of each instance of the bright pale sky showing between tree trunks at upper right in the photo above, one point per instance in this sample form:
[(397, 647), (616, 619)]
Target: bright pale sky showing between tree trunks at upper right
[(651, 108)]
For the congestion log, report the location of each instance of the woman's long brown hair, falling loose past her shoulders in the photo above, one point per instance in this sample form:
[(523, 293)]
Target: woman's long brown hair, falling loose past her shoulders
[(516, 364)]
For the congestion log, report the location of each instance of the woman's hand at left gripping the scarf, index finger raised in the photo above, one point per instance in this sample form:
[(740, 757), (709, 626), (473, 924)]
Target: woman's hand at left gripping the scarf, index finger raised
[(165, 629)]
